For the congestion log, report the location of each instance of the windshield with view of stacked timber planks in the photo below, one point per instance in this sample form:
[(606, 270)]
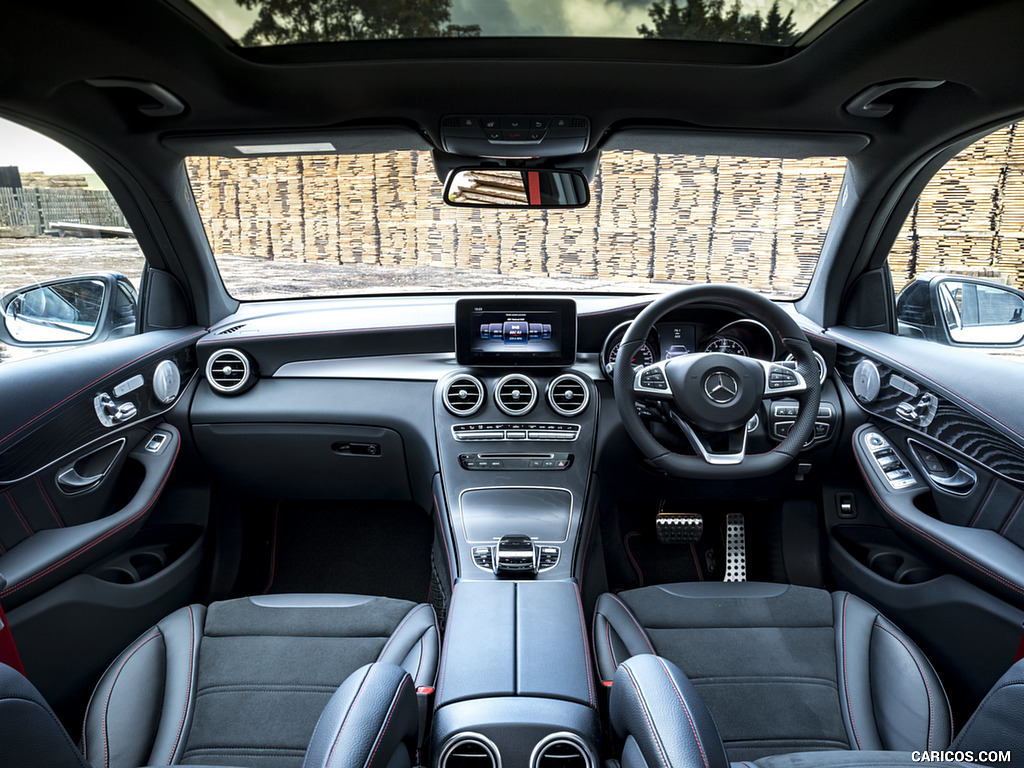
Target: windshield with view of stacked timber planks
[(337, 225)]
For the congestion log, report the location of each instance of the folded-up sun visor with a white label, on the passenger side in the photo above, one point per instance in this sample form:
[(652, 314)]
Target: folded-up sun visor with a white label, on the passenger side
[(361, 141)]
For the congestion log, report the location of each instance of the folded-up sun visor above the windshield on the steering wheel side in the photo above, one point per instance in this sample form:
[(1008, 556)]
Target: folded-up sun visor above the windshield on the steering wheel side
[(795, 146)]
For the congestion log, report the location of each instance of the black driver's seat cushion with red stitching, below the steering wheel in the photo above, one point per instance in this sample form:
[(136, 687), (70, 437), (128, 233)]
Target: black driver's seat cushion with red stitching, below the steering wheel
[(783, 669)]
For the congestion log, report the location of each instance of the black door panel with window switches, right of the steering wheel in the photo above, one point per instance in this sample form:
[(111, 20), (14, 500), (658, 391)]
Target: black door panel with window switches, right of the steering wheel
[(934, 536)]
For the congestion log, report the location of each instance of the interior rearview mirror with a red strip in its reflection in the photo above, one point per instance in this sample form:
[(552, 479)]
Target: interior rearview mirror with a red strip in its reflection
[(491, 187)]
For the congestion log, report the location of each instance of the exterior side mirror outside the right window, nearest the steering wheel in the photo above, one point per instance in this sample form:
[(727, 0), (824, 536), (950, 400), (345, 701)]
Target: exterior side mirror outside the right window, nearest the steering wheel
[(962, 311)]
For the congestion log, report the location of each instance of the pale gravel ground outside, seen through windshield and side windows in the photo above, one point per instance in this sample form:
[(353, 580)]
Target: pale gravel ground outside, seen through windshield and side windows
[(28, 261)]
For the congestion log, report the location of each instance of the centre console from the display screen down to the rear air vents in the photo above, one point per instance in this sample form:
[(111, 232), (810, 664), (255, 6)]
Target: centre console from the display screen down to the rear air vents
[(517, 428)]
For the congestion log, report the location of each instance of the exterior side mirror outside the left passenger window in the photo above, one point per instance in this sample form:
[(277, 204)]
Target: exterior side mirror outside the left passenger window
[(69, 312)]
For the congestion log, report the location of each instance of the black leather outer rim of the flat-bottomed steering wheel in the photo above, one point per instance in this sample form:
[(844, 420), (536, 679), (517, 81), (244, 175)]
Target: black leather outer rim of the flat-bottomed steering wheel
[(757, 308)]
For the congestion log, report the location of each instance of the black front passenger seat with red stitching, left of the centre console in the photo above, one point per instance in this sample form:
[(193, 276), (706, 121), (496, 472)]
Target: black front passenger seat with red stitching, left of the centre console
[(245, 682)]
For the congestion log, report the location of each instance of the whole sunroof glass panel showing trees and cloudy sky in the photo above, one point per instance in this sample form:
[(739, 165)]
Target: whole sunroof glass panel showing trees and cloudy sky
[(261, 23)]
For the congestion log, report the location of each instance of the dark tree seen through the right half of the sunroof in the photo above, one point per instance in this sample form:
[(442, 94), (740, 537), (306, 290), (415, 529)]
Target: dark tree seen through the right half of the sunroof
[(708, 20)]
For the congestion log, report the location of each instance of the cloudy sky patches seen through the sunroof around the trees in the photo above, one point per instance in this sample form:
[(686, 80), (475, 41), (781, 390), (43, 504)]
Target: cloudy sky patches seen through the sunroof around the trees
[(581, 18)]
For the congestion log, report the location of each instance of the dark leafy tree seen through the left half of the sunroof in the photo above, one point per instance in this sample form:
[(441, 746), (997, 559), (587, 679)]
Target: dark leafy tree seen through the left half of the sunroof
[(280, 22)]
